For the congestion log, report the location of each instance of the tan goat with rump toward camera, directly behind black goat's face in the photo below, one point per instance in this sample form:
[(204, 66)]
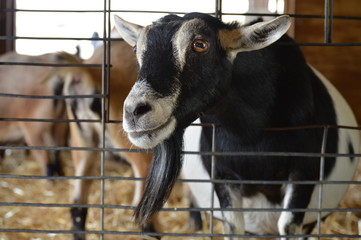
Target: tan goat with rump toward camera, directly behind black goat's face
[(85, 81)]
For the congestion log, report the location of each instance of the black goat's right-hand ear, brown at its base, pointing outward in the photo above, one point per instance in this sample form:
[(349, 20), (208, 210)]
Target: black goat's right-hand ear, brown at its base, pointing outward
[(253, 37)]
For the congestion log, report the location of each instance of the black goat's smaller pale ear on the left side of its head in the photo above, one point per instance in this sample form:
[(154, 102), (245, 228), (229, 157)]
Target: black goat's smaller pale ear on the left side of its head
[(129, 31)]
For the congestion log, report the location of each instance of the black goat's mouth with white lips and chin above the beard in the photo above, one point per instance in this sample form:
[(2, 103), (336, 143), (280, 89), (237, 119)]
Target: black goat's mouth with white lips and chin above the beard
[(149, 138)]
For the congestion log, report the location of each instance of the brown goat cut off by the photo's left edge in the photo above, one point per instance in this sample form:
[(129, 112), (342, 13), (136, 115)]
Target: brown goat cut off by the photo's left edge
[(29, 80)]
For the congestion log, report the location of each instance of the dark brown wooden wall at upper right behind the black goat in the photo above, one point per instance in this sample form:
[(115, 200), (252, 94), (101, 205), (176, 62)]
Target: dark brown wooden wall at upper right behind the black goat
[(341, 65)]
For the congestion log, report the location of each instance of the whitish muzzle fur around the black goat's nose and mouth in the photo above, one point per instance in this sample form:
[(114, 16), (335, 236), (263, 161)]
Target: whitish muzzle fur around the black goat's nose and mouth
[(154, 126)]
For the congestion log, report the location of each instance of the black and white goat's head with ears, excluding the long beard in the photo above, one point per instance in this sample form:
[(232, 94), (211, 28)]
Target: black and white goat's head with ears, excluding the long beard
[(185, 67)]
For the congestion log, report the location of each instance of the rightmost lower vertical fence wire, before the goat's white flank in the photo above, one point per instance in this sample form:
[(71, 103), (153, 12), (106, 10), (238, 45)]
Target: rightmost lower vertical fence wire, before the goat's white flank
[(321, 178)]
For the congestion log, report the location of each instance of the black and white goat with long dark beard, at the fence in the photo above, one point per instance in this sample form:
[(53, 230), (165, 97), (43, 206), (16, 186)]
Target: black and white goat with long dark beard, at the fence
[(235, 77)]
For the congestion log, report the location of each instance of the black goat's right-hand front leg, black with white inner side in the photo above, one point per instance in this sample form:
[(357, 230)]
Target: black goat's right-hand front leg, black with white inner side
[(296, 196)]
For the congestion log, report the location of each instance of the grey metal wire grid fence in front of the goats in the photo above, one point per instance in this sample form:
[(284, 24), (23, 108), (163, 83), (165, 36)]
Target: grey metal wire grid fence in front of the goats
[(105, 66)]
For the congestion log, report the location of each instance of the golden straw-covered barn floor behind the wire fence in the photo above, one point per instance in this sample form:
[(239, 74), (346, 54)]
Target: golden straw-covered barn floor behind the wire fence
[(116, 193)]
